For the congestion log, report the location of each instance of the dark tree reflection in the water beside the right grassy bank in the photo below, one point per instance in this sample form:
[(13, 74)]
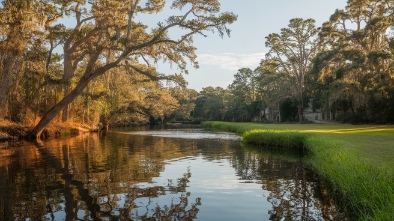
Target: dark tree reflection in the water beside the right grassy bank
[(294, 191)]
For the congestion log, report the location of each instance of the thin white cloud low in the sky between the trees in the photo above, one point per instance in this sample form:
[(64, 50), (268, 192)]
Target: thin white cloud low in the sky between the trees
[(230, 61)]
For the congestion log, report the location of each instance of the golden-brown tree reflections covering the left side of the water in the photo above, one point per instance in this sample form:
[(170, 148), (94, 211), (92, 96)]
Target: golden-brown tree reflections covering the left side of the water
[(85, 178)]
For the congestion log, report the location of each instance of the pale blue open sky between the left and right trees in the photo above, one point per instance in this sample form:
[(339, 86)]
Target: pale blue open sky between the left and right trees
[(220, 59)]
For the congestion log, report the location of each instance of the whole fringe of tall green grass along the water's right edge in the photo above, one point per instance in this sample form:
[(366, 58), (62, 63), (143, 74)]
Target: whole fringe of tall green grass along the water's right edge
[(365, 190)]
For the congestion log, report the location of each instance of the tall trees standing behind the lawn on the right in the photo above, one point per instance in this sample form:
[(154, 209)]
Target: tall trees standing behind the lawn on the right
[(343, 69)]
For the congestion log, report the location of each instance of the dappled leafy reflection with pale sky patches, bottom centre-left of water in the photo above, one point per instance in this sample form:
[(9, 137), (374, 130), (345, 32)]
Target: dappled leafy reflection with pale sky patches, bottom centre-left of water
[(144, 203)]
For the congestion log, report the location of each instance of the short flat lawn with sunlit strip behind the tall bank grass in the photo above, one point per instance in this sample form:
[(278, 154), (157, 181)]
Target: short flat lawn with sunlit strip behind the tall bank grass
[(372, 143)]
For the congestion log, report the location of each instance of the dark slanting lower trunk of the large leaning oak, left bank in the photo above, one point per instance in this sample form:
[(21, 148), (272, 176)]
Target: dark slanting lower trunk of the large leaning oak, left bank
[(46, 119)]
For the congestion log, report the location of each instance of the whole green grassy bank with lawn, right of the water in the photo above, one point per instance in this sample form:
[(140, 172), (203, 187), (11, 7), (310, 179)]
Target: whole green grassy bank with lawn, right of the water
[(358, 161)]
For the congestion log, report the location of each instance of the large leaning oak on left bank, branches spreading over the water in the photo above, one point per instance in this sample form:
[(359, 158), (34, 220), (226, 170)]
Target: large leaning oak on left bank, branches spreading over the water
[(108, 34)]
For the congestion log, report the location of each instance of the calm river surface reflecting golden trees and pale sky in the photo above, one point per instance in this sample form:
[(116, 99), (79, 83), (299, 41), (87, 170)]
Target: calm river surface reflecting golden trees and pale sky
[(160, 174)]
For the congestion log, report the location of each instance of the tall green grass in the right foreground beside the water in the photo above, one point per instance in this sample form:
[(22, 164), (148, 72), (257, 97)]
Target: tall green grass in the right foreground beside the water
[(364, 190)]
